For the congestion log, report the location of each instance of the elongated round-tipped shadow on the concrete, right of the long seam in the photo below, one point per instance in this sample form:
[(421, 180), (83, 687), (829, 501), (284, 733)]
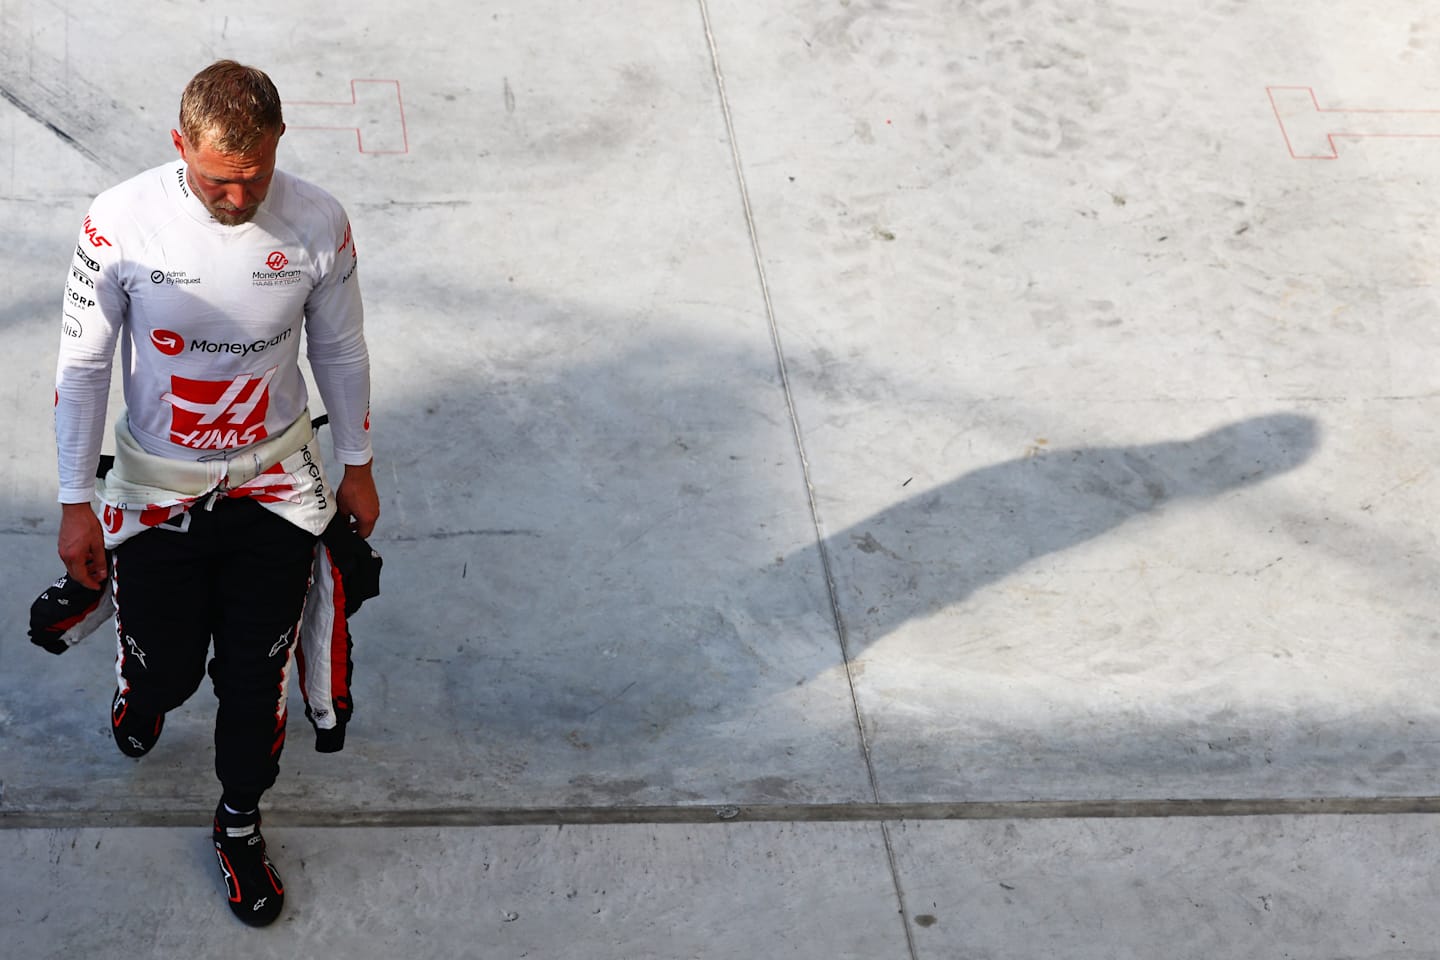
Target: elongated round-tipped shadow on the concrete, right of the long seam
[(940, 548)]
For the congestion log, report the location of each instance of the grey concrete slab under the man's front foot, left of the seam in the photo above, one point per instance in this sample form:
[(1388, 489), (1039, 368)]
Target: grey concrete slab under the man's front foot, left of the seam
[(624, 892)]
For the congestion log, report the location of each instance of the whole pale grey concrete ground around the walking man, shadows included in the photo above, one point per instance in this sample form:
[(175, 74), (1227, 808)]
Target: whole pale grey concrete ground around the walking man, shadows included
[(863, 479)]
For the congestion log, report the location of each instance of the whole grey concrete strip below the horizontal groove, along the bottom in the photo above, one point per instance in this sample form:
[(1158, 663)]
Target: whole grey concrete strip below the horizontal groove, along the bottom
[(1192, 889)]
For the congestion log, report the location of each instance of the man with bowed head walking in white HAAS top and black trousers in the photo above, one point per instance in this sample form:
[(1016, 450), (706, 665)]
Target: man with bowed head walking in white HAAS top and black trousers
[(207, 273)]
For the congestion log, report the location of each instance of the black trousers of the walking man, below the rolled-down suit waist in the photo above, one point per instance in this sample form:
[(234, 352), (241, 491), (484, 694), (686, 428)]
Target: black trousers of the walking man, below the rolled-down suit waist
[(234, 575)]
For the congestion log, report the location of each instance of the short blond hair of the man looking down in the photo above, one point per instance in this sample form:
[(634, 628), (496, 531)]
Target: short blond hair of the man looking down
[(230, 107)]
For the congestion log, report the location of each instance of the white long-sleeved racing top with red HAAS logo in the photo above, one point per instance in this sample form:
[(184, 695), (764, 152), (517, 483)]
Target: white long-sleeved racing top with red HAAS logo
[(210, 323)]
